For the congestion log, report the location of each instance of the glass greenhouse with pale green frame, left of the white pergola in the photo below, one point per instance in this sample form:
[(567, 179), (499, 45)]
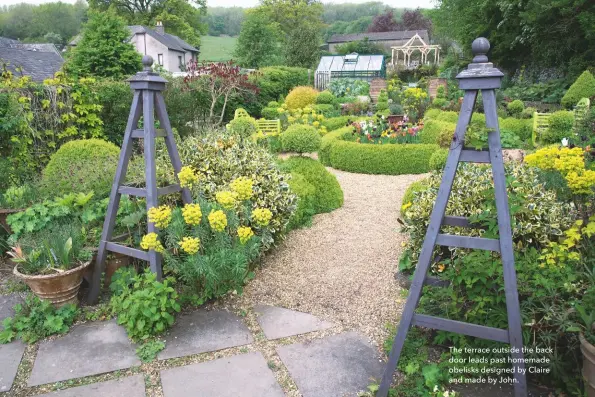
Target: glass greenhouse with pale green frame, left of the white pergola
[(354, 65)]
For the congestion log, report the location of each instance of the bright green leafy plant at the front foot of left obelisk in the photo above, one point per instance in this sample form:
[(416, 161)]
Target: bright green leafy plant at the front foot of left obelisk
[(145, 306)]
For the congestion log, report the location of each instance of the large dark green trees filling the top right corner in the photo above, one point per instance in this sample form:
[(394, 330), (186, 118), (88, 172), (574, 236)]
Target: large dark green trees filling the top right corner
[(541, 33)]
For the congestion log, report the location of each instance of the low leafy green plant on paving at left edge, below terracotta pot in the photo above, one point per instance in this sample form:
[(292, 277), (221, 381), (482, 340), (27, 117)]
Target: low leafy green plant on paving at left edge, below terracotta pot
[(35, 319)]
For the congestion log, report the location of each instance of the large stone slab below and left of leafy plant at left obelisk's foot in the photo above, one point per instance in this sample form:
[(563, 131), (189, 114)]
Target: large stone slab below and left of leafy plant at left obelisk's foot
[(88, 349)]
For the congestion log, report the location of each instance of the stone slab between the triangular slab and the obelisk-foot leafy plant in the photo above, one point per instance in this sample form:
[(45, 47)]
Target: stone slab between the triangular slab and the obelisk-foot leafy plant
[(205, 331)]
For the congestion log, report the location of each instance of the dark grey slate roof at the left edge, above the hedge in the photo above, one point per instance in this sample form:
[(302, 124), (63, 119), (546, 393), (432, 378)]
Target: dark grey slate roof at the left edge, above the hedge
[(37, 64)]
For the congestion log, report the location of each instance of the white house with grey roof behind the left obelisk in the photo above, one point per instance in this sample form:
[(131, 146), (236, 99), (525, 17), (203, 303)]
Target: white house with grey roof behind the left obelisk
[(167, 50)]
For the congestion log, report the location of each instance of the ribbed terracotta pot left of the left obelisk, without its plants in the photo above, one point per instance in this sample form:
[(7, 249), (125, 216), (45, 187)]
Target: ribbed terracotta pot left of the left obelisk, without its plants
[(60, 288)]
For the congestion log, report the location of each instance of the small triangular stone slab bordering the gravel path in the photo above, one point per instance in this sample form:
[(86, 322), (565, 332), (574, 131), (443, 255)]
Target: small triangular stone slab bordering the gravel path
[(278, 322)]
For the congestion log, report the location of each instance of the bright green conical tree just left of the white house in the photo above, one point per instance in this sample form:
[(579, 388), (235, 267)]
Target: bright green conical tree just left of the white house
[(104, 50)]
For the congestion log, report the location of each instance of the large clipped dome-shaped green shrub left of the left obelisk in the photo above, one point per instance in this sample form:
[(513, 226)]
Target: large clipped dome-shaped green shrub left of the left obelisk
[(80, 167)]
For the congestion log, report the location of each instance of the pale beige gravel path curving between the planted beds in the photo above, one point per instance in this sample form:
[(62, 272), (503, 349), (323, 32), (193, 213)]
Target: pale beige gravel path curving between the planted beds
[(342, 267)]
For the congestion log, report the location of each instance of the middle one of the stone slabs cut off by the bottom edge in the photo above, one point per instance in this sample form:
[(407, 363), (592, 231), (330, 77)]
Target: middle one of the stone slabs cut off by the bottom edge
[(245, 375)]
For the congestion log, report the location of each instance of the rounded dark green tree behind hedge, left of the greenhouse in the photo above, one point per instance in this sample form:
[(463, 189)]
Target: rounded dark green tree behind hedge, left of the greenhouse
[(259, 42)]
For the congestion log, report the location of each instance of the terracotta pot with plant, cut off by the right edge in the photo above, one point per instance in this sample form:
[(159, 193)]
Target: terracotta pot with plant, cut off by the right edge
[(586, 327)]
